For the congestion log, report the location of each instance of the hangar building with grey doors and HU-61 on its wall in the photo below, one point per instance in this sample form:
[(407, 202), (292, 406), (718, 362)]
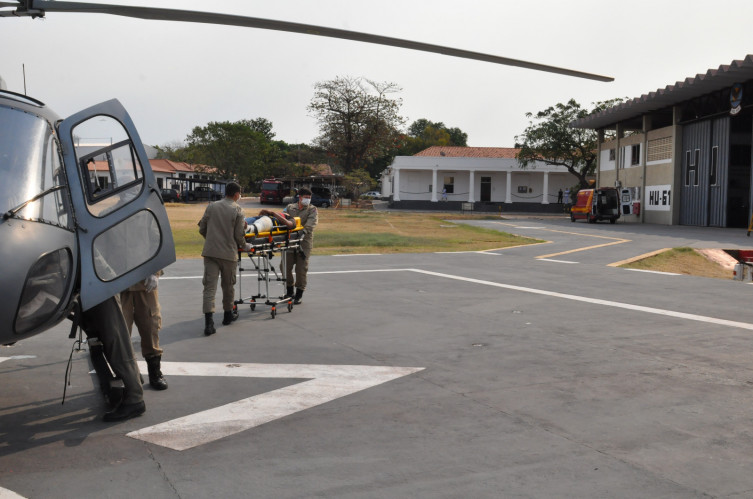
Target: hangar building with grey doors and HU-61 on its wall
[(682, 154)]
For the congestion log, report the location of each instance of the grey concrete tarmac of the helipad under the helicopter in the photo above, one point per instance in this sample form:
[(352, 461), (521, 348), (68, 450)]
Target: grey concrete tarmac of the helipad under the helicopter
[(508, 373)]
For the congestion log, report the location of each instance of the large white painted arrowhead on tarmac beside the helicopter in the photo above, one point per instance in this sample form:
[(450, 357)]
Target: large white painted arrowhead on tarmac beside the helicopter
[(325, 383)]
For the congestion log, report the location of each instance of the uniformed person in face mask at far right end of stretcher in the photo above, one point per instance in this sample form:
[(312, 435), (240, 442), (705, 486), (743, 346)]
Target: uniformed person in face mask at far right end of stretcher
[(300, 259)]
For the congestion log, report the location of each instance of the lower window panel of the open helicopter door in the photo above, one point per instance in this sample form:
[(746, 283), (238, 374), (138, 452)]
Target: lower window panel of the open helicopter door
[(127, 245)]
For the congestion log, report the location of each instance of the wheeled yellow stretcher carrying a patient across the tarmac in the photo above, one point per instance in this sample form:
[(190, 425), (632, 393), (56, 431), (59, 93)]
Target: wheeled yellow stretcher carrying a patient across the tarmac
[(273, 238)]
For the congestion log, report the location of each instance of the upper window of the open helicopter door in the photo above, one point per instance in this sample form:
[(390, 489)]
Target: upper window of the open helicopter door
[(108, 163)]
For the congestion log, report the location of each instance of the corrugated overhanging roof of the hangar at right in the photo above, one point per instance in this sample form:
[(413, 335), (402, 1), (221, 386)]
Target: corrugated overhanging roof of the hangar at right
[(701, 84)]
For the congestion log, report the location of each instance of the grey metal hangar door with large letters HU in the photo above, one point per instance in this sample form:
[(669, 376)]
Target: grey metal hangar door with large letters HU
[(705, 171)]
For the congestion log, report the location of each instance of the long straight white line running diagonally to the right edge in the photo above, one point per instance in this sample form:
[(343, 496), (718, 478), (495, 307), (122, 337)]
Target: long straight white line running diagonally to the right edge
[(597, 301)]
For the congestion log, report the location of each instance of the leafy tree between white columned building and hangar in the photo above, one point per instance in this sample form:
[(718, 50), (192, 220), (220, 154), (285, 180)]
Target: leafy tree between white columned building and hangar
[(550, 139)]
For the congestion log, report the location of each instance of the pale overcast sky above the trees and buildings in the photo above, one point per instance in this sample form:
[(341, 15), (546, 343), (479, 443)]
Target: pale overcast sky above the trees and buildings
[(172, 76)]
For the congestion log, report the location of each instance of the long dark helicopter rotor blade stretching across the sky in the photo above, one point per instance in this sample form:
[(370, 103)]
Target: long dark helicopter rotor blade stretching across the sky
[(37, 8)]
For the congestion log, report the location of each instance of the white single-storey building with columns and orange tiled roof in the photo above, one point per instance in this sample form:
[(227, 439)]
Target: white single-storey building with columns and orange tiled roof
[(479, 175)]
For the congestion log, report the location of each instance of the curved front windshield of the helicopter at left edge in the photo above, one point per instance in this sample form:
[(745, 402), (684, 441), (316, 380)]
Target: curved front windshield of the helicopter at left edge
[(30, 156)]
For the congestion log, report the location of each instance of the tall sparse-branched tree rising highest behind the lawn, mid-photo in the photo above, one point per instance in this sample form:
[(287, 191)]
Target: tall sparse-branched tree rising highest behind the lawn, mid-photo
[(358, 121)]
